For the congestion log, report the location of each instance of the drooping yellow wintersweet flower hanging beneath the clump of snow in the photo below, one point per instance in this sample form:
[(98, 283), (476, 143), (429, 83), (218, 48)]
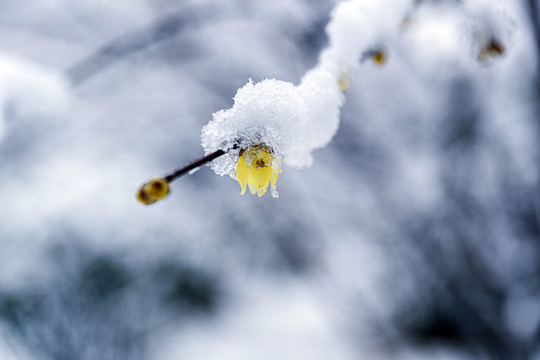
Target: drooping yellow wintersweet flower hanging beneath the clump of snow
[(254, 168)]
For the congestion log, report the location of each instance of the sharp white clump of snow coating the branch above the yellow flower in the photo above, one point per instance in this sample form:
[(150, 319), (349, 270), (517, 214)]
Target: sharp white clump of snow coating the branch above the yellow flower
[(292, 121)]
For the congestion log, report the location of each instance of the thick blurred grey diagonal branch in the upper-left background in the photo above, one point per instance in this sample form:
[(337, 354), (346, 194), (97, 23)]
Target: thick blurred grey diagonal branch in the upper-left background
[(131, 43)]
